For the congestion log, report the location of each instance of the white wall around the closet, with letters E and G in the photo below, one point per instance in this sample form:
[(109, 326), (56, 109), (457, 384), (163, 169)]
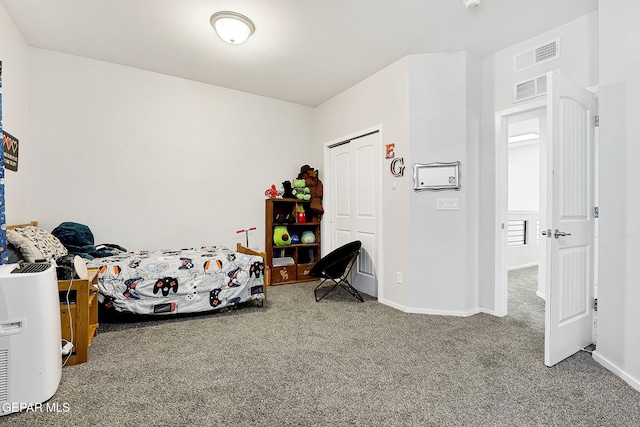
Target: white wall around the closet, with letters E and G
[(382, 99)]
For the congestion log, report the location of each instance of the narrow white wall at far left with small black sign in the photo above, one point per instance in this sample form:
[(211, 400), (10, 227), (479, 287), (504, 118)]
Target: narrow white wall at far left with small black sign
[(14, 54)]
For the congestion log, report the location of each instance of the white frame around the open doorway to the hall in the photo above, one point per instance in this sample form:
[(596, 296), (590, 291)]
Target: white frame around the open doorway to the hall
[(501, 201)]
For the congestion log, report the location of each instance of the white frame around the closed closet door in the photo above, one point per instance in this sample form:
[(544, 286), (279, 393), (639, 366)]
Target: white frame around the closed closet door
[(326, 225)]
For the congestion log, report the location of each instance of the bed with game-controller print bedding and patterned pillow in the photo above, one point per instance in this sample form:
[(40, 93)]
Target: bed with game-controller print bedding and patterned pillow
[(163, 282)]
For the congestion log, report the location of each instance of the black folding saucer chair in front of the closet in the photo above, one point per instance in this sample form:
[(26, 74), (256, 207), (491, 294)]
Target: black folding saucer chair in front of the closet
[(335, 267)]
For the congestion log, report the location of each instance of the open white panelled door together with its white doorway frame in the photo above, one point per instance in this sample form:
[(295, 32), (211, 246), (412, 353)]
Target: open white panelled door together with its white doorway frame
[(568, 223)]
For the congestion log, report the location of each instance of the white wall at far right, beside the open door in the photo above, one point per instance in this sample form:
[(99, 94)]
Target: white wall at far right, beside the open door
[(619, 229)]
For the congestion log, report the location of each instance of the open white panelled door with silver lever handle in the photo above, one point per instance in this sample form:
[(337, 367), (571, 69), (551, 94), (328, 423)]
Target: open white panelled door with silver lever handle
[(570, 219)]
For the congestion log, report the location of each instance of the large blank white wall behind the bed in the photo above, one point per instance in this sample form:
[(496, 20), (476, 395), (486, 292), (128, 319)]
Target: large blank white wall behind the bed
[(148, 160)]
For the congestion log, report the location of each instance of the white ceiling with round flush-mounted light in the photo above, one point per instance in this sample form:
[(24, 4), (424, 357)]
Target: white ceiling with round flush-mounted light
[(303, 51)]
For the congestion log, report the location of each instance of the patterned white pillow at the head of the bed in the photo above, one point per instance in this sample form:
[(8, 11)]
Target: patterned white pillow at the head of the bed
[(36, 244)]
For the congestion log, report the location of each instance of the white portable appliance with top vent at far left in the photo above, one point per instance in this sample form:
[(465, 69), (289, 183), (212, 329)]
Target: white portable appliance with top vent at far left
[(30, 337)]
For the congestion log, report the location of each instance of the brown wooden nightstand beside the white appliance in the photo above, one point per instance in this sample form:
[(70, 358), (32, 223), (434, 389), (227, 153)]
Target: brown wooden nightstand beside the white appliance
[(81, 314)]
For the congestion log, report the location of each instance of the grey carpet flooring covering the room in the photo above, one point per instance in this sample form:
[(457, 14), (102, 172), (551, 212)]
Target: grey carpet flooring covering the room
[(334, 363)]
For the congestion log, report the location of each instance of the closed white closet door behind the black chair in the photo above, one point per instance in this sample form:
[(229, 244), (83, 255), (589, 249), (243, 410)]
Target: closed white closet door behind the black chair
[(354, 205)]
